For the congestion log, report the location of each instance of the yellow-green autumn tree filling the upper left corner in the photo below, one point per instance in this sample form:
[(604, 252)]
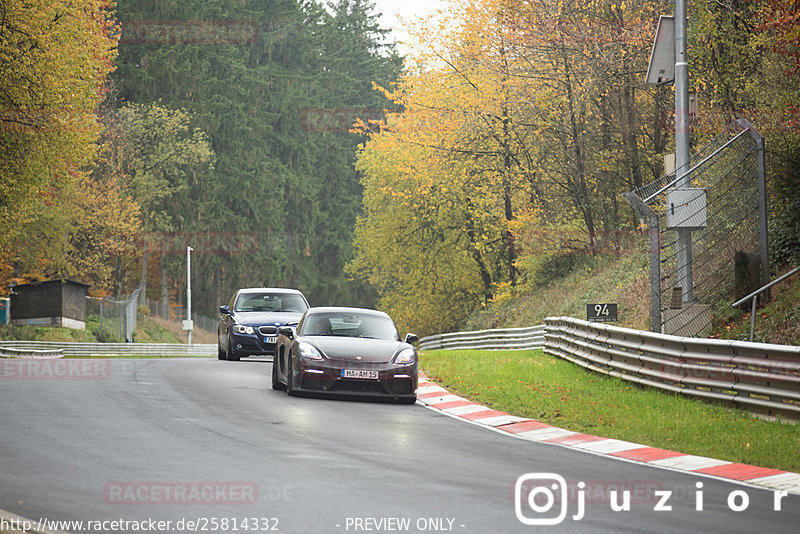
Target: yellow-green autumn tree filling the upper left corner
[(54, 59)]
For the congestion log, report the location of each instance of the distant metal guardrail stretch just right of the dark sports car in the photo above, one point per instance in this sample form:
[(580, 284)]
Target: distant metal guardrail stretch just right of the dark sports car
[(495, 339)]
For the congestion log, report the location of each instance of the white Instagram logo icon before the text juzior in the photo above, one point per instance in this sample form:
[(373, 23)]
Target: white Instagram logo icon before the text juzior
[(535, 497)]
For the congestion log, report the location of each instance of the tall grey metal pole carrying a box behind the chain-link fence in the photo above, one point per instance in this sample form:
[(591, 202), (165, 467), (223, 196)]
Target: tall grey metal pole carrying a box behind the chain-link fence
[(684, 241)]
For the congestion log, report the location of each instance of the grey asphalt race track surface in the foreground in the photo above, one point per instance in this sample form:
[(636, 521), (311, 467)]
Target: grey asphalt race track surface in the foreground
[(198, 439)]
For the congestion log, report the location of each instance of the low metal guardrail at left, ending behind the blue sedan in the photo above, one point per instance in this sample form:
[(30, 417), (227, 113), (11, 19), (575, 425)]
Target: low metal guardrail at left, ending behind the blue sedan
[(111, 350)]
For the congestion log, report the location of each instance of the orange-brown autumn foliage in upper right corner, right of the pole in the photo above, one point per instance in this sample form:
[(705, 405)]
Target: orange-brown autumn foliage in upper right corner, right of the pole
[(744, 64)]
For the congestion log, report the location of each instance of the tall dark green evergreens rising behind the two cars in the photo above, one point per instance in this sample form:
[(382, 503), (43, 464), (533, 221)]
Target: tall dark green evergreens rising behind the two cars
[(264, 79)]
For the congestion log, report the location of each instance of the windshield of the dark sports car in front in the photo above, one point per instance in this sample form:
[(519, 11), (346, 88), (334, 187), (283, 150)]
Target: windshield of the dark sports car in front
[(349, 325)]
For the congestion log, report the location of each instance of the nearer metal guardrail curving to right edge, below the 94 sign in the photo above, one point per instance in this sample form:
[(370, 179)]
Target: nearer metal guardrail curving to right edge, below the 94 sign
[(758, 377)]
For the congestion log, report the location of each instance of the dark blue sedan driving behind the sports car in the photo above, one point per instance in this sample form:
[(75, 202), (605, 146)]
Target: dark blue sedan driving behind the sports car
[(249, 323)]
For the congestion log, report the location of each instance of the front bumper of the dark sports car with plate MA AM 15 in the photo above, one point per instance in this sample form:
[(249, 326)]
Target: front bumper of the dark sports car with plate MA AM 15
[(326, 376)]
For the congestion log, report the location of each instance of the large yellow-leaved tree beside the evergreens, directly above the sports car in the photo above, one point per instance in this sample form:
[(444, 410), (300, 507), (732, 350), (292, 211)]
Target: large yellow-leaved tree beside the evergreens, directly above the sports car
[(446, 178)]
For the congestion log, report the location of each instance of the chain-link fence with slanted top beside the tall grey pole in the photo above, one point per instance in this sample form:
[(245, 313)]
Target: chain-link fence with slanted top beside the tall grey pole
[(724, 210)]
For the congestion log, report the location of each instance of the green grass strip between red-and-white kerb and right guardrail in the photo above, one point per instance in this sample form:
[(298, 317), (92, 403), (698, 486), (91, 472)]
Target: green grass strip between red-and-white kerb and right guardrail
[(534, 385)]
